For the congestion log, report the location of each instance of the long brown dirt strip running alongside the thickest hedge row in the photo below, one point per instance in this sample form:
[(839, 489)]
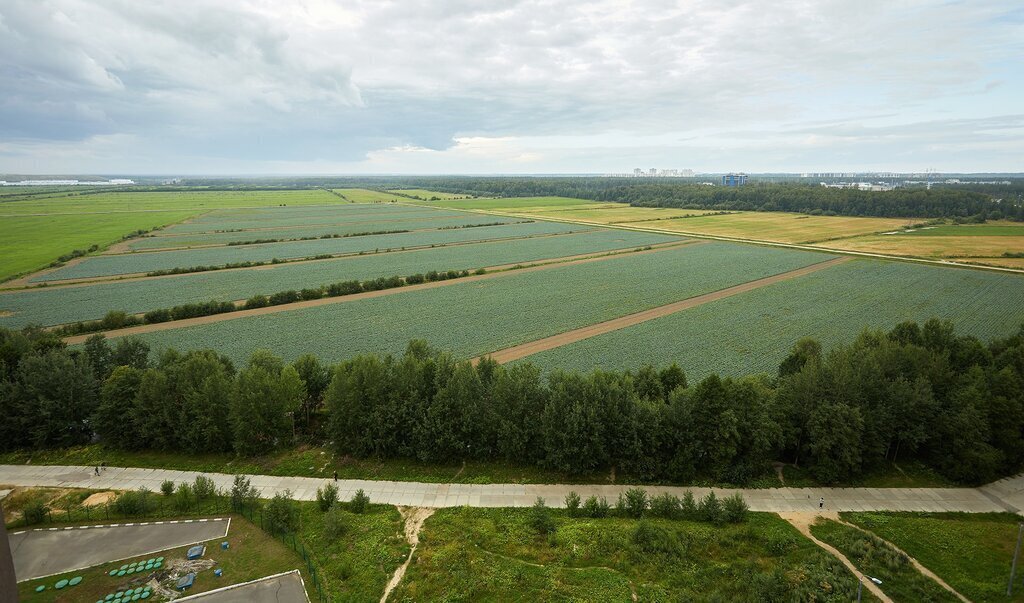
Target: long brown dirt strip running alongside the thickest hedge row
[(540, 266)]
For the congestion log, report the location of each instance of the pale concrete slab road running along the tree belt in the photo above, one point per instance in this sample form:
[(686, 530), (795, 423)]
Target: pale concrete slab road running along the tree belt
[(1006, 495)]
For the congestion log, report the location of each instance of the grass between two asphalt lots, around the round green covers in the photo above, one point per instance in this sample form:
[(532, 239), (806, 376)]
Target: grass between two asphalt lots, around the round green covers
[(252, 554)]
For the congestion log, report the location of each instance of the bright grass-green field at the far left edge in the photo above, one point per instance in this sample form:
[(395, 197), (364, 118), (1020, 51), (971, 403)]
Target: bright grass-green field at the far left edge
[(36, 232)]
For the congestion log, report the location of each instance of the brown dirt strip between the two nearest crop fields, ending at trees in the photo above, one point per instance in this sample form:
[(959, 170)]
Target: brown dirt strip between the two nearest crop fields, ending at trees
[(526, 350)]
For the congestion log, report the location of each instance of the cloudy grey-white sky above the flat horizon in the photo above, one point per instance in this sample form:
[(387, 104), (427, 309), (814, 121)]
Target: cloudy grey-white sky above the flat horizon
[(476, 87)]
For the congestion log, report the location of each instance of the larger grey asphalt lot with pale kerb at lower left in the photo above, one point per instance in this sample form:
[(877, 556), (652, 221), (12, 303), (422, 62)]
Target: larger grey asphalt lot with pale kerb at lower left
[(46, 552)]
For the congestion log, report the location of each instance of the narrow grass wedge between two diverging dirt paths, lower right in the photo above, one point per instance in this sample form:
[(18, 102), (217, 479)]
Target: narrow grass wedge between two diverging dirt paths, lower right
[(874, 557)]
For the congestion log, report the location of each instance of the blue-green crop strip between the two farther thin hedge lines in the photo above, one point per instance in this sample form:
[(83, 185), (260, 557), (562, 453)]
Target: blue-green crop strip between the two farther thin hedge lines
[(145, 263)]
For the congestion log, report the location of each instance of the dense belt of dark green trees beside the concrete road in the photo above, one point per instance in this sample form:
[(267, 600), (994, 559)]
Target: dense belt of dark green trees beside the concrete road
[(917, 393)]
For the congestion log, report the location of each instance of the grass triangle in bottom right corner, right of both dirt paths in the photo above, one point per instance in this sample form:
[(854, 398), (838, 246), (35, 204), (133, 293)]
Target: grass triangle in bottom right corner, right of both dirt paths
[(971, 552)]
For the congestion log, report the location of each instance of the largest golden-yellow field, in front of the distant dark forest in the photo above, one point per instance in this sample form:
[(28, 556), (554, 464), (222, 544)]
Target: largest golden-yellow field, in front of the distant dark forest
[(779, 227)]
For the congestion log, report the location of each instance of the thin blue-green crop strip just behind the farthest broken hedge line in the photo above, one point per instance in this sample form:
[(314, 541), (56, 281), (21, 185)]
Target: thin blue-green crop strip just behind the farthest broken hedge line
[(351, 228)]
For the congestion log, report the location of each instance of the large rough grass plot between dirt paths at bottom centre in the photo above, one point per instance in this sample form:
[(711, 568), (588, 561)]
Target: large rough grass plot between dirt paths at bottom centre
[(495, 555)]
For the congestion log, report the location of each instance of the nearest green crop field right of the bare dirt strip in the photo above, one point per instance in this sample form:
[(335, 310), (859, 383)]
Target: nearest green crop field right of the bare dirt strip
[(753, 332)]
